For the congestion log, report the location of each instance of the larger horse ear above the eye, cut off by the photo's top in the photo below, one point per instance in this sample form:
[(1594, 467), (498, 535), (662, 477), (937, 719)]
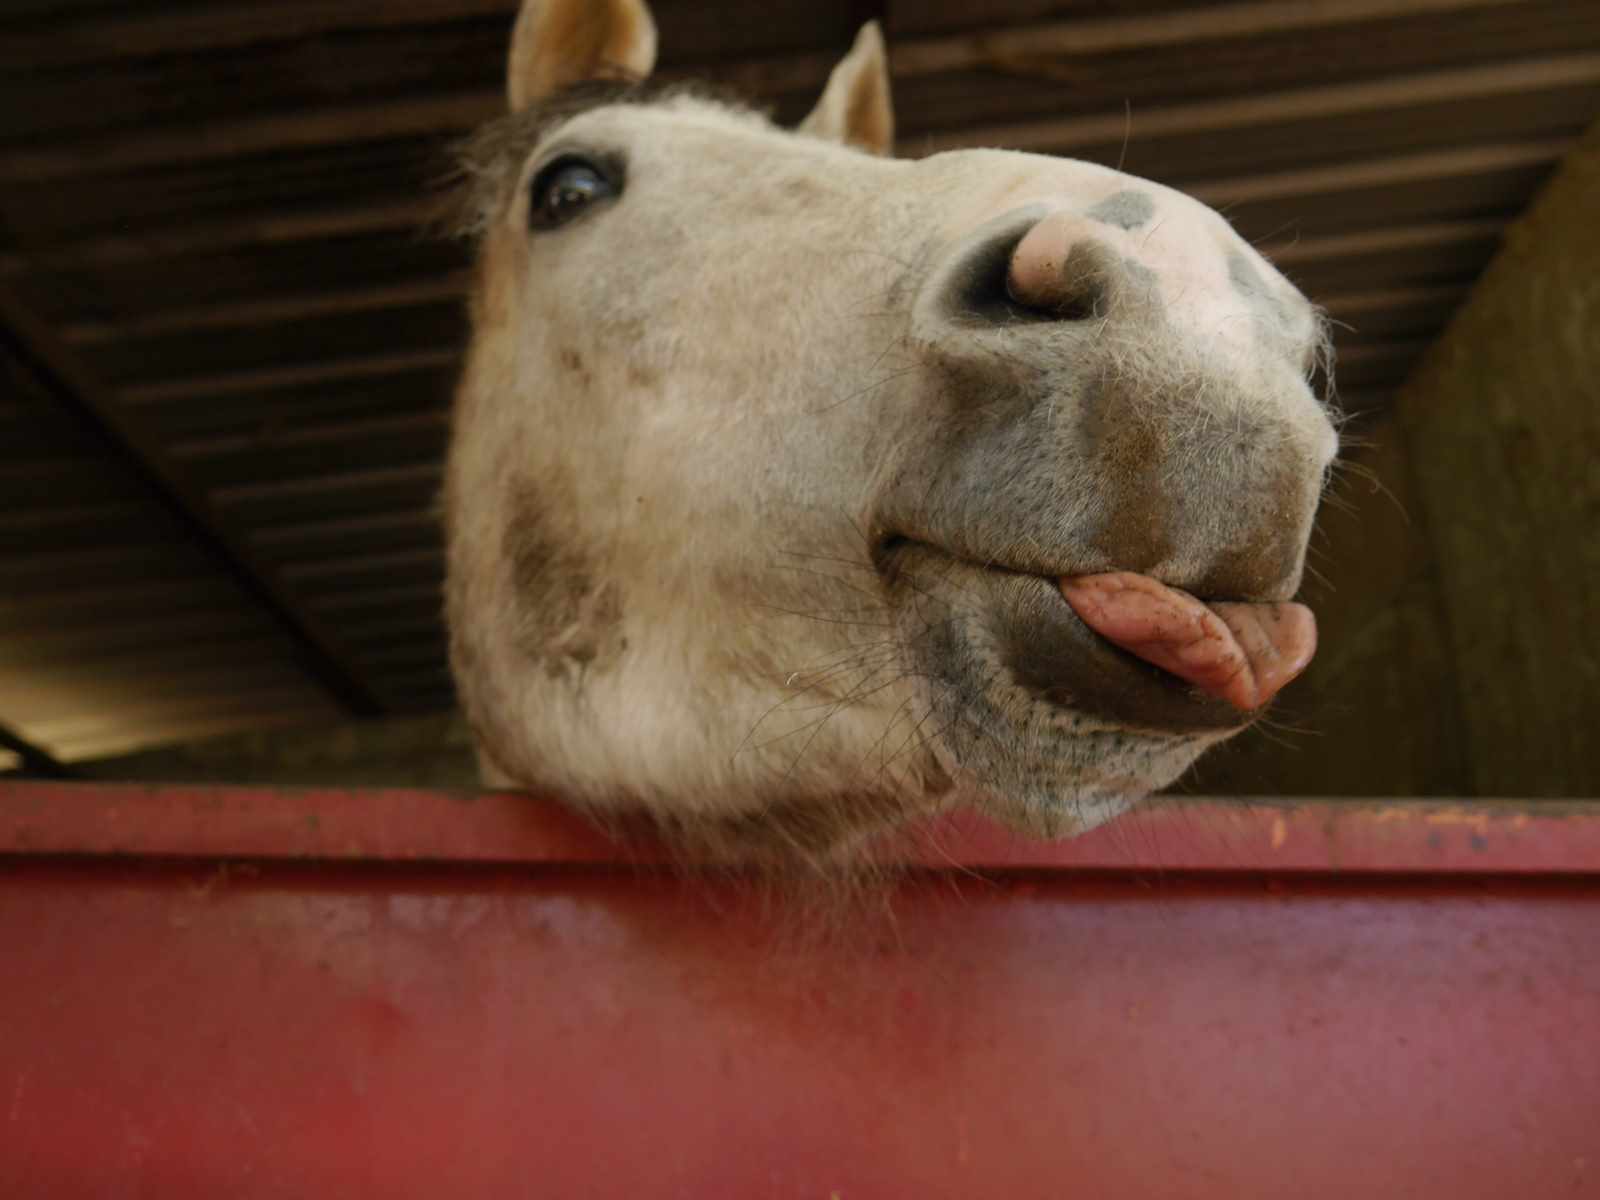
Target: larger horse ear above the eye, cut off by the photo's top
[(562, 42)]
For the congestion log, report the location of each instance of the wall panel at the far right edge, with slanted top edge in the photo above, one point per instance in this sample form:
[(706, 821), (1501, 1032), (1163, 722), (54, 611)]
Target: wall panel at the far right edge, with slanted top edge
[(1503, 425)]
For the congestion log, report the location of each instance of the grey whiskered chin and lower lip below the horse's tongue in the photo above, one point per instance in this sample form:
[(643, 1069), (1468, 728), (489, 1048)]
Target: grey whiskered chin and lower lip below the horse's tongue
[(1047, 729)]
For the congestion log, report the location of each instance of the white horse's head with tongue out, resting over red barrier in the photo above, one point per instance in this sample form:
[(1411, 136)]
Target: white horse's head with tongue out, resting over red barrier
[(798, 492)]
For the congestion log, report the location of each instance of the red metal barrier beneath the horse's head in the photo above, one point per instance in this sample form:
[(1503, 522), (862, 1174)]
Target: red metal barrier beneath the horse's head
[(297, 994)]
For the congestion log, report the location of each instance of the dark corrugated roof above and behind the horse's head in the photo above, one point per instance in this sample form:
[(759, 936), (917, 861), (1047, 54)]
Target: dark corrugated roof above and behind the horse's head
[(230, 348)]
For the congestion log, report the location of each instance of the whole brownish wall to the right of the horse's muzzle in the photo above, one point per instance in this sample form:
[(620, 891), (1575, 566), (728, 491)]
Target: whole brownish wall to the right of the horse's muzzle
[(1462, 554)]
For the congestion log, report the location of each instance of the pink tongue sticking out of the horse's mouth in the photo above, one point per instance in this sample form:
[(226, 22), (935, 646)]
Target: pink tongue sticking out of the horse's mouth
[(1236, 652)]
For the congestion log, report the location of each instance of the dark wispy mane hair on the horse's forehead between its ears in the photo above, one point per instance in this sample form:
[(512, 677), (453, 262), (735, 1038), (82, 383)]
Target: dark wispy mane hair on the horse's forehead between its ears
[(489, 161)]
